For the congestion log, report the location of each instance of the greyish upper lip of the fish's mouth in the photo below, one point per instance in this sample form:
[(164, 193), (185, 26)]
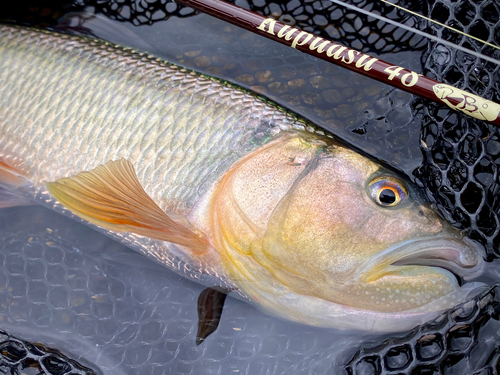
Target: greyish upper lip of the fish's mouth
[(462, 257)]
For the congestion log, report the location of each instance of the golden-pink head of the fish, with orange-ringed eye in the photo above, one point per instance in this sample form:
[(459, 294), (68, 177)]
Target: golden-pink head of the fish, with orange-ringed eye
[(312, 219)]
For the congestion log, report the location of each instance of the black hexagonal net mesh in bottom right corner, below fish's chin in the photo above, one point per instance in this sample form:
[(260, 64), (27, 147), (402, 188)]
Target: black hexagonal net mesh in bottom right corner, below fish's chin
[(448, 345)]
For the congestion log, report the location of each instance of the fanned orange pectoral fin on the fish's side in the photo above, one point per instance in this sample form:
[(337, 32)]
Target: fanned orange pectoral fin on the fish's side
[(112, 197)]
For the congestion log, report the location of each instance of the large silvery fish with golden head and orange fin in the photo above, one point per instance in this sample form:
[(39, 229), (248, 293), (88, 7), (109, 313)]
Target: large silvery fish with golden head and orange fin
[(222, 186)]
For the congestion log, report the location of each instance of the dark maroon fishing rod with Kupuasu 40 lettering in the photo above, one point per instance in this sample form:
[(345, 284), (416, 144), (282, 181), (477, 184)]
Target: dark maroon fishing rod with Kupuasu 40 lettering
[(393, 75)]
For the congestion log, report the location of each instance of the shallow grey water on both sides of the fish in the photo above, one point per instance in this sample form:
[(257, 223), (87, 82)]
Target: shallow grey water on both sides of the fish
[(72, 288)]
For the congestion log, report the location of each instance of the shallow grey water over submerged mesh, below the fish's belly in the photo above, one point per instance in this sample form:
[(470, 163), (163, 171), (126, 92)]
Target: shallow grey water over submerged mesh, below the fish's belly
[(69, 287)]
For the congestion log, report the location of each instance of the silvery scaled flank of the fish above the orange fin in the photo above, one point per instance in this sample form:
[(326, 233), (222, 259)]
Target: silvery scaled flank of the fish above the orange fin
[(64, 110)]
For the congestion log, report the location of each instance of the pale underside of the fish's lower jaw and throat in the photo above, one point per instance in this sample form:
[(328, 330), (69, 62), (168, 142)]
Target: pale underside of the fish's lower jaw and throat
[(271, 296)]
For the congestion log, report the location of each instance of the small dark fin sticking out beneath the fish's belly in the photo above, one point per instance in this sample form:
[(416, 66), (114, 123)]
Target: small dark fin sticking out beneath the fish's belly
[(210, 306)]
